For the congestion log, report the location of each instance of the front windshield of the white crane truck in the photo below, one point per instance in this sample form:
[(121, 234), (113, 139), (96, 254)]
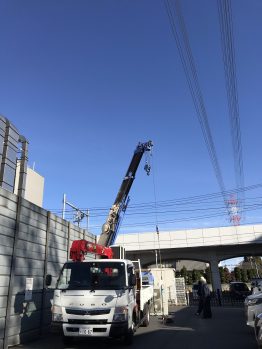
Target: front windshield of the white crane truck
[(92, 276)]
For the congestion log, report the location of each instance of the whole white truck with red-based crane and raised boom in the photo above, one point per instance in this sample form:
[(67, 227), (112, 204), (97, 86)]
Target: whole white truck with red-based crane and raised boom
[(103, 296)]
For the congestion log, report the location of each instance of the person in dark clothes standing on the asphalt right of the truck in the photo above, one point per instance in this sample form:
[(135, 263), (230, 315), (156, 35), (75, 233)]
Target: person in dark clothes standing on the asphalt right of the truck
[(204, 299)]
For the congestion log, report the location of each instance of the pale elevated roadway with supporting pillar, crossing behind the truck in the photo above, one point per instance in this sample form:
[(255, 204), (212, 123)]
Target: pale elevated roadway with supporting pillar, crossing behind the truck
[(210, 245)]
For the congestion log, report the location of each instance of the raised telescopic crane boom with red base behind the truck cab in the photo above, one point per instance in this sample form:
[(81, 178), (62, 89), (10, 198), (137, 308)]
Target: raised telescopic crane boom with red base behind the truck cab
[(110, 228)]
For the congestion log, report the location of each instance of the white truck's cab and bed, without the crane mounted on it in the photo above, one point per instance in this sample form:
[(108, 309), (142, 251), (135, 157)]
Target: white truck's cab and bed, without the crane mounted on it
[(100, 298)]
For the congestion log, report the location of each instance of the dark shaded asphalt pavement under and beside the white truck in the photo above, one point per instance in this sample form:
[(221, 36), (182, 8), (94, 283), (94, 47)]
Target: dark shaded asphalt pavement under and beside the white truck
[(182, 330)]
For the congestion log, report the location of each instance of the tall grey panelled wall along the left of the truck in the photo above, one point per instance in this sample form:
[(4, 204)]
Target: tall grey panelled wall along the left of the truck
[(33, 243)]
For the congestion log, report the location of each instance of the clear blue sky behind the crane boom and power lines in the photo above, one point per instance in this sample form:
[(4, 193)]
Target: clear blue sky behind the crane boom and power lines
[(85, 81)]
